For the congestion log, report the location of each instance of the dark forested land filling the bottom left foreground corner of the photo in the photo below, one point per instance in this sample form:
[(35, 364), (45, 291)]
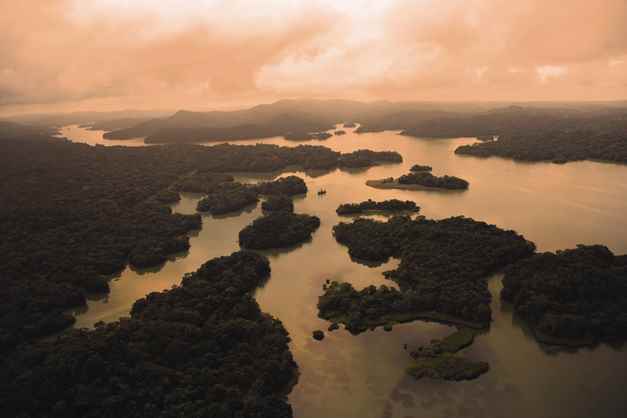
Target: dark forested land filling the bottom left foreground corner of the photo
[(203, 348)]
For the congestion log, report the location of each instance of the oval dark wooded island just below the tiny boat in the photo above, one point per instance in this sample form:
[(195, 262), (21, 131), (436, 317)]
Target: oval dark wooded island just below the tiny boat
[(278, 230)]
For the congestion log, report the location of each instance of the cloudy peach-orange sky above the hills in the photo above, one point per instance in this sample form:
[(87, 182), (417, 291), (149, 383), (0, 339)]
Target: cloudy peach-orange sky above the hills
[(68, 55)]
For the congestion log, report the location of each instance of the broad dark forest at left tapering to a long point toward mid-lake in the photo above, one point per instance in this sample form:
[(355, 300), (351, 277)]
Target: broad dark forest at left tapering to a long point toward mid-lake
[(72, 214)]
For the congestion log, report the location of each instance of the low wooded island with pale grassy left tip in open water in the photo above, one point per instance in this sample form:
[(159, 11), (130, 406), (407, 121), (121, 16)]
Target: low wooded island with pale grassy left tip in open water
[(420, 180)]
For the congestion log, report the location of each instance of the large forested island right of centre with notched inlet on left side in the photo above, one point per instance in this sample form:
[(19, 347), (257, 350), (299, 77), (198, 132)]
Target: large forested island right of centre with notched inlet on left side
[(442, 273)]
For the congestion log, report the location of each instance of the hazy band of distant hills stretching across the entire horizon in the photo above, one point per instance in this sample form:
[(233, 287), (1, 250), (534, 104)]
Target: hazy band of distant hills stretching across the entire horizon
[(529, 131)]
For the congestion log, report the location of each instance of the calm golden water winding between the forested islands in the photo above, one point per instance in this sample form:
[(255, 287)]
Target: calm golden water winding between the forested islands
[(556, 206)]
